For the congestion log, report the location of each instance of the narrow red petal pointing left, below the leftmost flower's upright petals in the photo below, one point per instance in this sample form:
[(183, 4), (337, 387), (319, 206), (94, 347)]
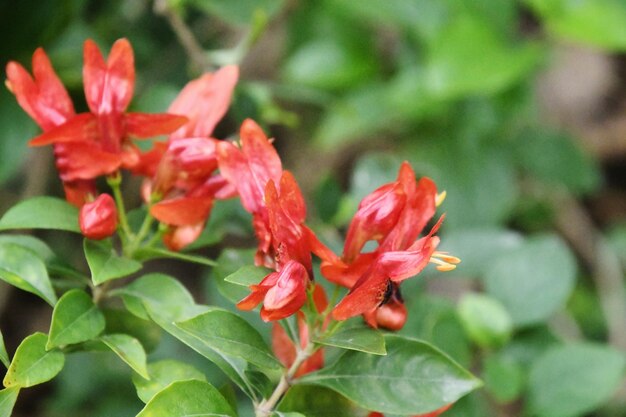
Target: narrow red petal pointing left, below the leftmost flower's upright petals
[(80, 128)]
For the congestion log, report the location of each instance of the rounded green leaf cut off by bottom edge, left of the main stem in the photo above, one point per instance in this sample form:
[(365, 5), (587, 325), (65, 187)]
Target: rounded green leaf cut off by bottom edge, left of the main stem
[(186, 399)]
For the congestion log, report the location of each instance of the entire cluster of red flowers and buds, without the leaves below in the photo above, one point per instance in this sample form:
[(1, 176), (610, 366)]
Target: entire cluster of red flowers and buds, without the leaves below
[(187, 173)]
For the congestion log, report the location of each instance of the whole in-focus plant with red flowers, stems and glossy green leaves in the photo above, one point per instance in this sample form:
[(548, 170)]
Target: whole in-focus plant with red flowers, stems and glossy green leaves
[(315, 340)]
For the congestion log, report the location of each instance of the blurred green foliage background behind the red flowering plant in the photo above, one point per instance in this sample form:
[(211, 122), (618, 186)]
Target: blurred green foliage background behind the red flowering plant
[(516, 108)]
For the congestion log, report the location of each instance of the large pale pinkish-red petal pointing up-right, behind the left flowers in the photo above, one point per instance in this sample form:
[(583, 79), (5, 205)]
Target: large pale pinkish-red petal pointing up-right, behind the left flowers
[(204, 101)]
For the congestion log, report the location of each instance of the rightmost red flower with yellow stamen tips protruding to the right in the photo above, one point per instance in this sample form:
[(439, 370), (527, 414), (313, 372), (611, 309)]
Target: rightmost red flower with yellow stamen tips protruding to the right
[(394, 215)]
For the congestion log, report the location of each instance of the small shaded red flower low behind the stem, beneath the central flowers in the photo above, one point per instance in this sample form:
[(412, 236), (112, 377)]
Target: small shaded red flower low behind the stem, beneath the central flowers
[(284, 347)]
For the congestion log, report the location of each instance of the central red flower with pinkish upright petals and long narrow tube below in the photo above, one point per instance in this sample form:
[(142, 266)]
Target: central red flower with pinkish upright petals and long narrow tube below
[(249, 168)]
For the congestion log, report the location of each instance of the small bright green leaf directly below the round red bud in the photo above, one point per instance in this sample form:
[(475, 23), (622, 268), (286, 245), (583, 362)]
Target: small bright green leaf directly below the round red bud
[(105, 264)]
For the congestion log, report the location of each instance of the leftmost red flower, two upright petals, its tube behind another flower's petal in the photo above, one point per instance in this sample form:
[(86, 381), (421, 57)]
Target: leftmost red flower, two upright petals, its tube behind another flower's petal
[(47, 102)]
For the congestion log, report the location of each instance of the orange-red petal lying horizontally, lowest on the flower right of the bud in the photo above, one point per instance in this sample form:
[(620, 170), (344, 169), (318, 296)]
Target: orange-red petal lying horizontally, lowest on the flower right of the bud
[(182, 211)]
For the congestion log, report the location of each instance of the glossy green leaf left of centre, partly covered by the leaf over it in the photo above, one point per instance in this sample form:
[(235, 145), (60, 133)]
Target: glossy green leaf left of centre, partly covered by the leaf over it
[(166, 301)]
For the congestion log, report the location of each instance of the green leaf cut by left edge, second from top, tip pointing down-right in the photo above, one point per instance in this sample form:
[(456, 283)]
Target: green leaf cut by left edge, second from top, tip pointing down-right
[(25, 270)]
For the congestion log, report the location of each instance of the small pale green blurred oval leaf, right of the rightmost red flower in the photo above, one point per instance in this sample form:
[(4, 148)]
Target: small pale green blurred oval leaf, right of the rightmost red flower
[(485, 320)]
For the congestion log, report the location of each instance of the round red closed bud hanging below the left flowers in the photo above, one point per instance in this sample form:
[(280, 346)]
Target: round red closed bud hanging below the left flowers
[(98, 219)]
